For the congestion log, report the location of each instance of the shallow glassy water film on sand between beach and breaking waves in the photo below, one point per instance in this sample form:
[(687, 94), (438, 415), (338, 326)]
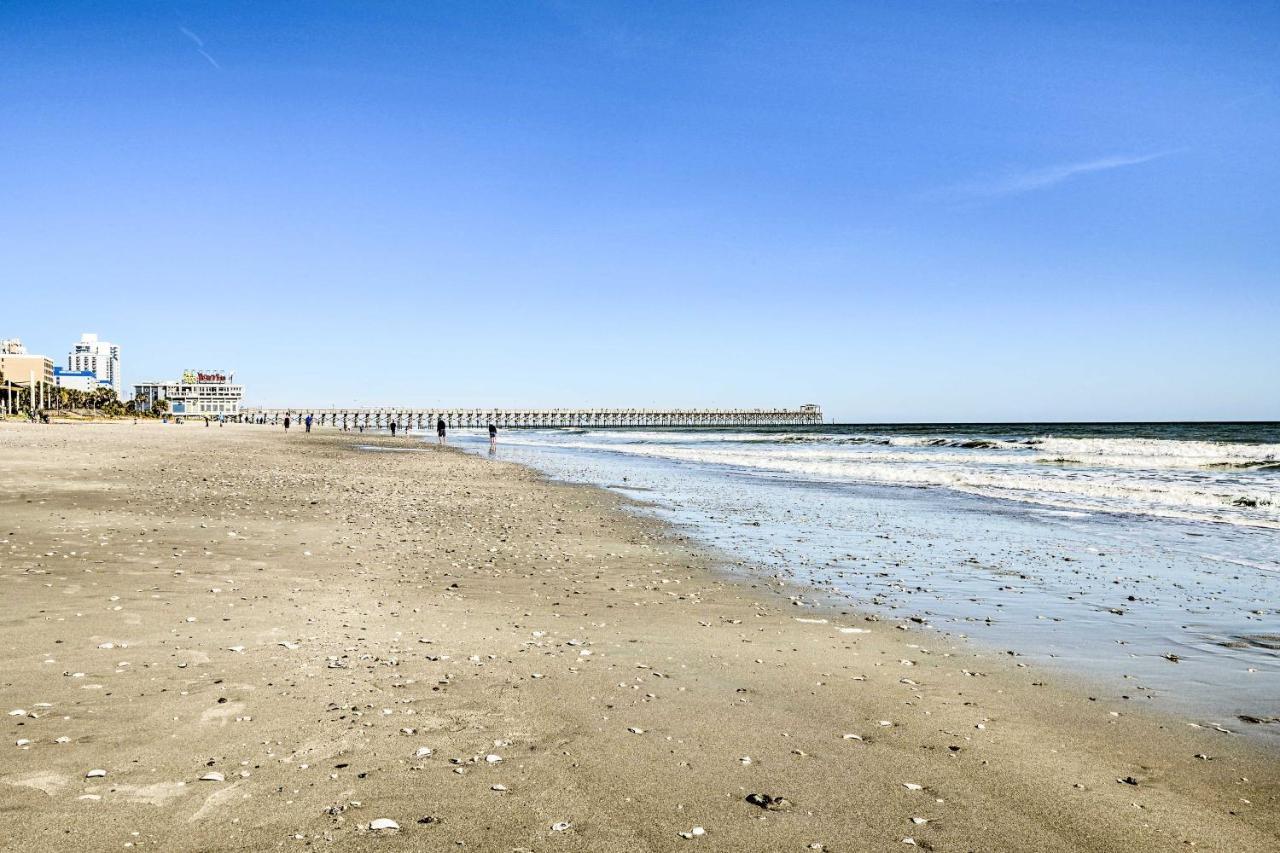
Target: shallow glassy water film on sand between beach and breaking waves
[(1177, 613)]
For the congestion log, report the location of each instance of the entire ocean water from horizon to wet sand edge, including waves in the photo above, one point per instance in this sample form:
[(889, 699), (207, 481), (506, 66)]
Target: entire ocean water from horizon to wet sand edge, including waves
[(1144, 556)]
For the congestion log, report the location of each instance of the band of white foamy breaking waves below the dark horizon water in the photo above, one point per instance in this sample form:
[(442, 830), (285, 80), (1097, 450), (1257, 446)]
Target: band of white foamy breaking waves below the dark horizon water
[(1192, 480)]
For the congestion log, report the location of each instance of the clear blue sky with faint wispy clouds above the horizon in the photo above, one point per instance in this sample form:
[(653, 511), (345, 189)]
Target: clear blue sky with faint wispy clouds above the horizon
[(904, 212)]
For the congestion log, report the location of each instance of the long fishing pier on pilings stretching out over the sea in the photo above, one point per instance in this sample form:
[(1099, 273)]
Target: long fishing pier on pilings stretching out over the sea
[(516, 418)]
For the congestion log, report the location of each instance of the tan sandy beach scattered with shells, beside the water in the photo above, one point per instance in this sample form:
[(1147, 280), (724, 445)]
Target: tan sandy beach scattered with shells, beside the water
[(303, 618)]
